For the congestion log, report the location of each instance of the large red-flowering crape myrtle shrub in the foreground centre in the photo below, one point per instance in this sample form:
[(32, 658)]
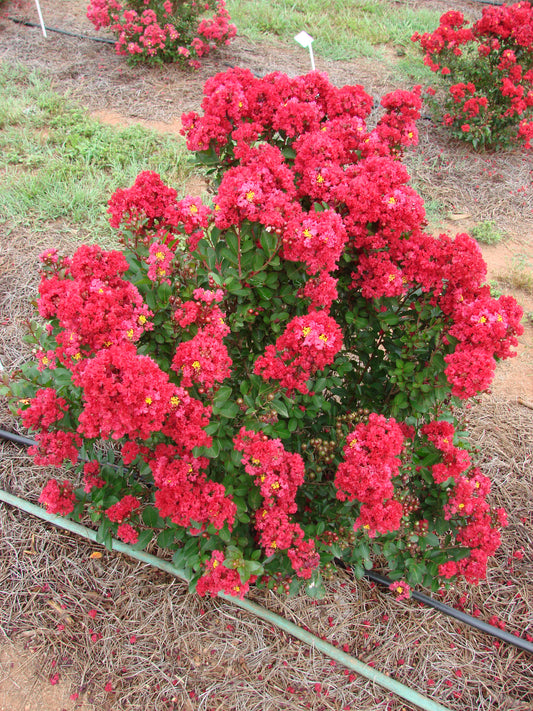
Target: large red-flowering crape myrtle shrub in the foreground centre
[(279, 374)]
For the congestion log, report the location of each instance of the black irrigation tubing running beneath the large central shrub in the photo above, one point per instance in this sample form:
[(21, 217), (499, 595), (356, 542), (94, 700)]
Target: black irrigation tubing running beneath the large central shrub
[(485, 627)]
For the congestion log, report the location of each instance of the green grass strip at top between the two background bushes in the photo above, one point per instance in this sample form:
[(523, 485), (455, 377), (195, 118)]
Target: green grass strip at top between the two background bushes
[(342, 29)]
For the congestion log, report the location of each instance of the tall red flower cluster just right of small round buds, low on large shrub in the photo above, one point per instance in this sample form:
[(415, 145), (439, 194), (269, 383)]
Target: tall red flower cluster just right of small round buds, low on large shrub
[(371, 460)]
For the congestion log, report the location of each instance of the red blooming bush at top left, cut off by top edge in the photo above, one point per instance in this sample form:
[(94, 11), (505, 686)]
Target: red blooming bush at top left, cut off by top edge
[(158, 31)]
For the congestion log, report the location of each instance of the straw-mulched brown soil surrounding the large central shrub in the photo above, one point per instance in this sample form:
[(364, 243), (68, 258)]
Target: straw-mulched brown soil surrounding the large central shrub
[(159, 648)]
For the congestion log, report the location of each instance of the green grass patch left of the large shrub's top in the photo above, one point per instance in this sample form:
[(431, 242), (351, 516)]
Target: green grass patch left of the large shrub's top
[(59, 164)]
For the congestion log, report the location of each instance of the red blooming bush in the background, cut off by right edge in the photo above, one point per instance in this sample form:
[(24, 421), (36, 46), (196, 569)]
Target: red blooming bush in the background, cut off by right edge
[(488, 70)]
